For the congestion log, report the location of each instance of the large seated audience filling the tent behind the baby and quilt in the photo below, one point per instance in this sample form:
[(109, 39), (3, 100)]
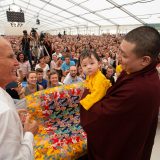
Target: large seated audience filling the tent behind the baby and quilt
[(53, 61)]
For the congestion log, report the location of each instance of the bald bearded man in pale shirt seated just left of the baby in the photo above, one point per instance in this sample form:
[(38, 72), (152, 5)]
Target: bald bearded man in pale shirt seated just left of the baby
[(72, 76)]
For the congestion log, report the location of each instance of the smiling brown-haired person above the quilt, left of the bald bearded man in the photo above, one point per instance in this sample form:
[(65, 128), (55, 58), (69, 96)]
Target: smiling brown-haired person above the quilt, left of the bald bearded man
[(53, 80)]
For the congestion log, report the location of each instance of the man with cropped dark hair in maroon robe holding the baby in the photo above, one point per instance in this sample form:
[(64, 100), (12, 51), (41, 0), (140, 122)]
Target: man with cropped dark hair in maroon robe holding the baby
[(123, 124)]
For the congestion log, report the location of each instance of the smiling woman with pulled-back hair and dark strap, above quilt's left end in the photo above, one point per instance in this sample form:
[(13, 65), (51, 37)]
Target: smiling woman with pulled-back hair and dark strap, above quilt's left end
[(32, 85)]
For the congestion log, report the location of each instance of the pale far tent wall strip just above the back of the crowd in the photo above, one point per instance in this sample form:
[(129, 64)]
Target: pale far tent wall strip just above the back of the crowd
[(8, 30)]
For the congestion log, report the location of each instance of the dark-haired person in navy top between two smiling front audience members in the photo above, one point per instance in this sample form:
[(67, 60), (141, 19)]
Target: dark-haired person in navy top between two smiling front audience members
[(40, 80)]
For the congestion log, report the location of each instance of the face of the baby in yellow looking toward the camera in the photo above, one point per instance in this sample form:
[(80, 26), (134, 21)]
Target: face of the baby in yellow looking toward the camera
[(90, 65)]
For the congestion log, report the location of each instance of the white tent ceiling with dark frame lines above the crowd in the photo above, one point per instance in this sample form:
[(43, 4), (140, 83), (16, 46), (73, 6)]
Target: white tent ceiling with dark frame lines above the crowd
[(61, 14)]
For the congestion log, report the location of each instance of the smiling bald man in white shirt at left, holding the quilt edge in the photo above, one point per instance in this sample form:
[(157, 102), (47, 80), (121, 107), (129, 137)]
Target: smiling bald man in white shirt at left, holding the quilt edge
[(16, 142)]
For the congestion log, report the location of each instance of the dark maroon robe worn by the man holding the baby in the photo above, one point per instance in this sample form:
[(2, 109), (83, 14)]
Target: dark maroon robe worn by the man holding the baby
[(123, 124)]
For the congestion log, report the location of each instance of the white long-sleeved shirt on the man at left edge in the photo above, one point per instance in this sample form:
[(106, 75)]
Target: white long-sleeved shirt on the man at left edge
[(13, 144)]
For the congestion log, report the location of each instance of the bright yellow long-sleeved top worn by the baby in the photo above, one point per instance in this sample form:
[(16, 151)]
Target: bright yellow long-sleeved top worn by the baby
[(99, 89)]
